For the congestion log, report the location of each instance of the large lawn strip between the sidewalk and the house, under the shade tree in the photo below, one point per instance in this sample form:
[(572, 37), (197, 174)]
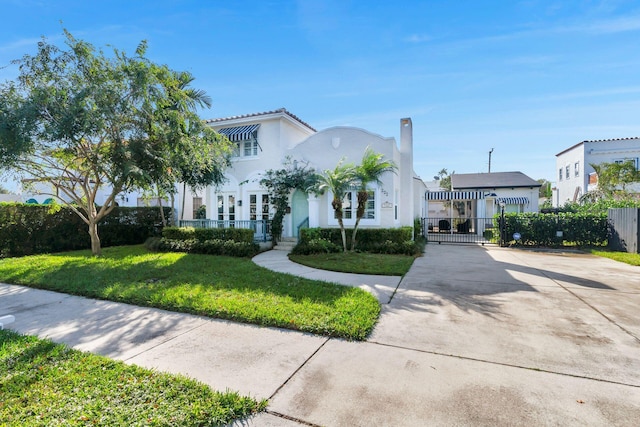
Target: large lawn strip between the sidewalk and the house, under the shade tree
[(214, 286)]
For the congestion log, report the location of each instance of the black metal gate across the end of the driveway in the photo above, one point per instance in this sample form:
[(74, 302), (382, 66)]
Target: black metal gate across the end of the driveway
[(461, 230)]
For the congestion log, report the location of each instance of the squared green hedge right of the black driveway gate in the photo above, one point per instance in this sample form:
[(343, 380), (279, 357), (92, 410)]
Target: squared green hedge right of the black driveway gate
[(582, 229)]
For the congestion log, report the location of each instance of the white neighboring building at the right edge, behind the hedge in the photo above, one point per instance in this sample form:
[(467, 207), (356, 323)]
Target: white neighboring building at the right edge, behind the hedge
[(575, 175)]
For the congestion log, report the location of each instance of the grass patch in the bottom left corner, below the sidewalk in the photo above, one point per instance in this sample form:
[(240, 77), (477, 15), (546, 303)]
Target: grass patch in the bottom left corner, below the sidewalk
[(44, 383)]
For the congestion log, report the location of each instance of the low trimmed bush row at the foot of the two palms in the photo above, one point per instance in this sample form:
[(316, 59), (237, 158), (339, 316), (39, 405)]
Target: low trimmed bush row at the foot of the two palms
[(374, 240)]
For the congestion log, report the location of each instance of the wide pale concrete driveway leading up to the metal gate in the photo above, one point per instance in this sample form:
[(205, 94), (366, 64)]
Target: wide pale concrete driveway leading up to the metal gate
[(486, 336)]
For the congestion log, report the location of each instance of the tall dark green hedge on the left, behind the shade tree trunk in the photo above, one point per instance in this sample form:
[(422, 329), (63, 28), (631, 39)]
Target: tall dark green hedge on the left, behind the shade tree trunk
[(27, 229)]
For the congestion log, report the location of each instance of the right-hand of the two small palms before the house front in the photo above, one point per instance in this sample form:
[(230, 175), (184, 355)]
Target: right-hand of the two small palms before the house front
[(371, 169)]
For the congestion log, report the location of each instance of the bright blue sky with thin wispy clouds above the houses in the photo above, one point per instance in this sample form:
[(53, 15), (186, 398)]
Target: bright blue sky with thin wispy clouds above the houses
[(526, 78)]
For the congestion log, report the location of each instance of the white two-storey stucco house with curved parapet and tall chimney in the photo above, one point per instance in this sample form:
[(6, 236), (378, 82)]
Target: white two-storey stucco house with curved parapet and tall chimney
[(265, 140)]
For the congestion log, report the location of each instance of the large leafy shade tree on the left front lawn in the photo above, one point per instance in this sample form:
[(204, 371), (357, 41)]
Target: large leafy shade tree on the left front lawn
[(79, 120)]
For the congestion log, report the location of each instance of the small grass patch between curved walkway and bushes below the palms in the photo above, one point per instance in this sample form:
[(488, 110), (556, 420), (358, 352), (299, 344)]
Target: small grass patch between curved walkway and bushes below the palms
[(355, 262)]
